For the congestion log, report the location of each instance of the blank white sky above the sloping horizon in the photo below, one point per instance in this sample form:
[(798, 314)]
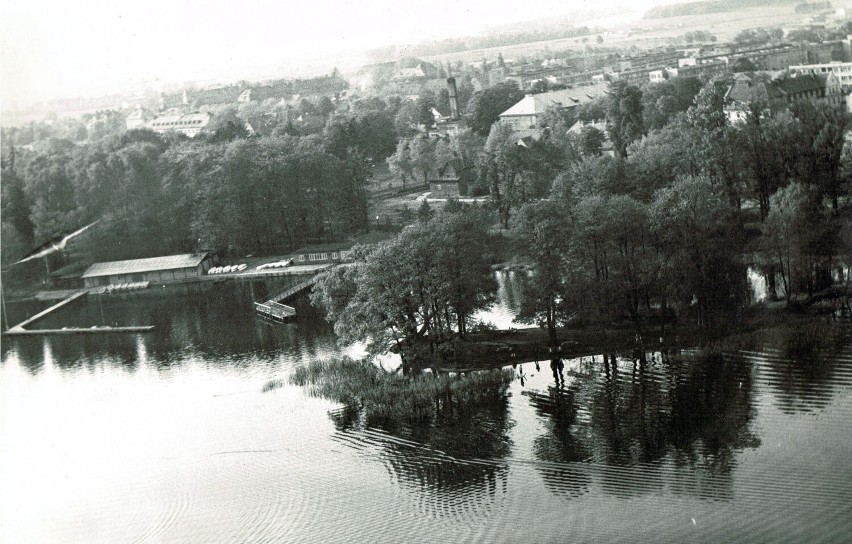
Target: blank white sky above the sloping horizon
[(51, 48)]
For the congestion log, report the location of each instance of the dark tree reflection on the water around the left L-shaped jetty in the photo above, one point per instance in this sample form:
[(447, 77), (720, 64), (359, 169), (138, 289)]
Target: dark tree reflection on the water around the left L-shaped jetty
[(213, 323)]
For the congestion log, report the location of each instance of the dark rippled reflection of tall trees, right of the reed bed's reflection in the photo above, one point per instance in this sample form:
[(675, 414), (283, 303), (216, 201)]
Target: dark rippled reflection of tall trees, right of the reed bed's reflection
[(691, 411)]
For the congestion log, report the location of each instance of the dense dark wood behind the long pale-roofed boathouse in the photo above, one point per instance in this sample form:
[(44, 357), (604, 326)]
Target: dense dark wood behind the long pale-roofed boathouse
[(224, 192)]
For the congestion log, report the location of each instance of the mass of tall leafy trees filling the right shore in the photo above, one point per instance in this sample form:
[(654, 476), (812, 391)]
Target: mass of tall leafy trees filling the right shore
[(673, 221)]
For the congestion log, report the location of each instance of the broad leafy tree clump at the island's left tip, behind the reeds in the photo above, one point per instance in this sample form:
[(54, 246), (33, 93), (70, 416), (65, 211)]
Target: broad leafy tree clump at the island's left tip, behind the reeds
[(415, 292)]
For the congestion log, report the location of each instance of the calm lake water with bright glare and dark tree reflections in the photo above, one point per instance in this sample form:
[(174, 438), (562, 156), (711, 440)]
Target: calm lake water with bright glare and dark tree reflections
[(170, 437)]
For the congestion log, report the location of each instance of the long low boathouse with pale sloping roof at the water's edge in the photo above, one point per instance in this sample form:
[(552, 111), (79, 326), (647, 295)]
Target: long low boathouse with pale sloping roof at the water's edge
[(168, 269)]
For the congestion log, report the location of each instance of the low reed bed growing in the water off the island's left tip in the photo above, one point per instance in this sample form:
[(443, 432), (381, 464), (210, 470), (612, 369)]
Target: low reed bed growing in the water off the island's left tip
[(388, 397)]
